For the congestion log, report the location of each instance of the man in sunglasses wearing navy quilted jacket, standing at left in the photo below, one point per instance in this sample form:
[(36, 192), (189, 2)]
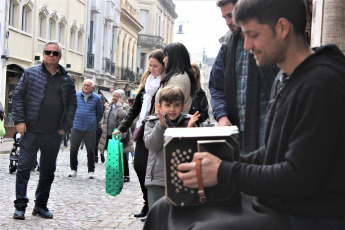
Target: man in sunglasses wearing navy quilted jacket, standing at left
[(44, 104)]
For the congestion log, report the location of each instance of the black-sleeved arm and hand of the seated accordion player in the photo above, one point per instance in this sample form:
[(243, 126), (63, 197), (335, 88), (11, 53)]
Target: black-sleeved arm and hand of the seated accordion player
[(304, 164)]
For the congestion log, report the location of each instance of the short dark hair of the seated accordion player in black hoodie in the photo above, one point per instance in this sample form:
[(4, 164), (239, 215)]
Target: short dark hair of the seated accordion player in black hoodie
[(269, 11)]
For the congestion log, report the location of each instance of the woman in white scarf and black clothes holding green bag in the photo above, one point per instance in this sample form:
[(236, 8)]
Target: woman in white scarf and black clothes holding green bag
[(142, 107)]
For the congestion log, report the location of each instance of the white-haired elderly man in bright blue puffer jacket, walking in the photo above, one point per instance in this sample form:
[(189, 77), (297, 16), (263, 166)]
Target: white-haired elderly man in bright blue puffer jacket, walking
[(88, 115)]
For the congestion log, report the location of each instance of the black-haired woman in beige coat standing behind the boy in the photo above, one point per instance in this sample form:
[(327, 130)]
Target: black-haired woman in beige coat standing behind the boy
[(178, 72)]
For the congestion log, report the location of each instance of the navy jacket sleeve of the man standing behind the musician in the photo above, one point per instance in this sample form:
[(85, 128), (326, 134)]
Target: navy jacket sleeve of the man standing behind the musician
[(216, 87)]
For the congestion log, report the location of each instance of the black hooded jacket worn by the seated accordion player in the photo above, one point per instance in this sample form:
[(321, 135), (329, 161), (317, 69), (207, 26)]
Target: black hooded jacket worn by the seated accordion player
[(301, 168)]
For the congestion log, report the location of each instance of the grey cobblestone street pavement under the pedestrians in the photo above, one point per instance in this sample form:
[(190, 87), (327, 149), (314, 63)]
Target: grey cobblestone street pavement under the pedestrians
[(77, 203)]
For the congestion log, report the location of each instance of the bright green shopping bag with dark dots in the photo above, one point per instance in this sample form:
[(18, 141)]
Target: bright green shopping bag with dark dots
[(114, 166)]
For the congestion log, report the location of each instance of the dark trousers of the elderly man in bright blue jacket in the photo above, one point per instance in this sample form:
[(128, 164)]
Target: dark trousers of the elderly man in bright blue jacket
[(90, 142)]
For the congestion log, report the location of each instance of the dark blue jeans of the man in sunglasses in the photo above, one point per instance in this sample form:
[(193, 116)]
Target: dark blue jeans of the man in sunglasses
[(49, 144)]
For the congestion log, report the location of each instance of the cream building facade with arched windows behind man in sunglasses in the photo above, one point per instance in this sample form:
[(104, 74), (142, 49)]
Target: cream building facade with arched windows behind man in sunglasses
[(30, 24)]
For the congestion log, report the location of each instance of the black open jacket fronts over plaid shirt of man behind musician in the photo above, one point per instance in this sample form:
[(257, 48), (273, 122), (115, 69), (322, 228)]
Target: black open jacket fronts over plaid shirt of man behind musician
[(258, 79)]
